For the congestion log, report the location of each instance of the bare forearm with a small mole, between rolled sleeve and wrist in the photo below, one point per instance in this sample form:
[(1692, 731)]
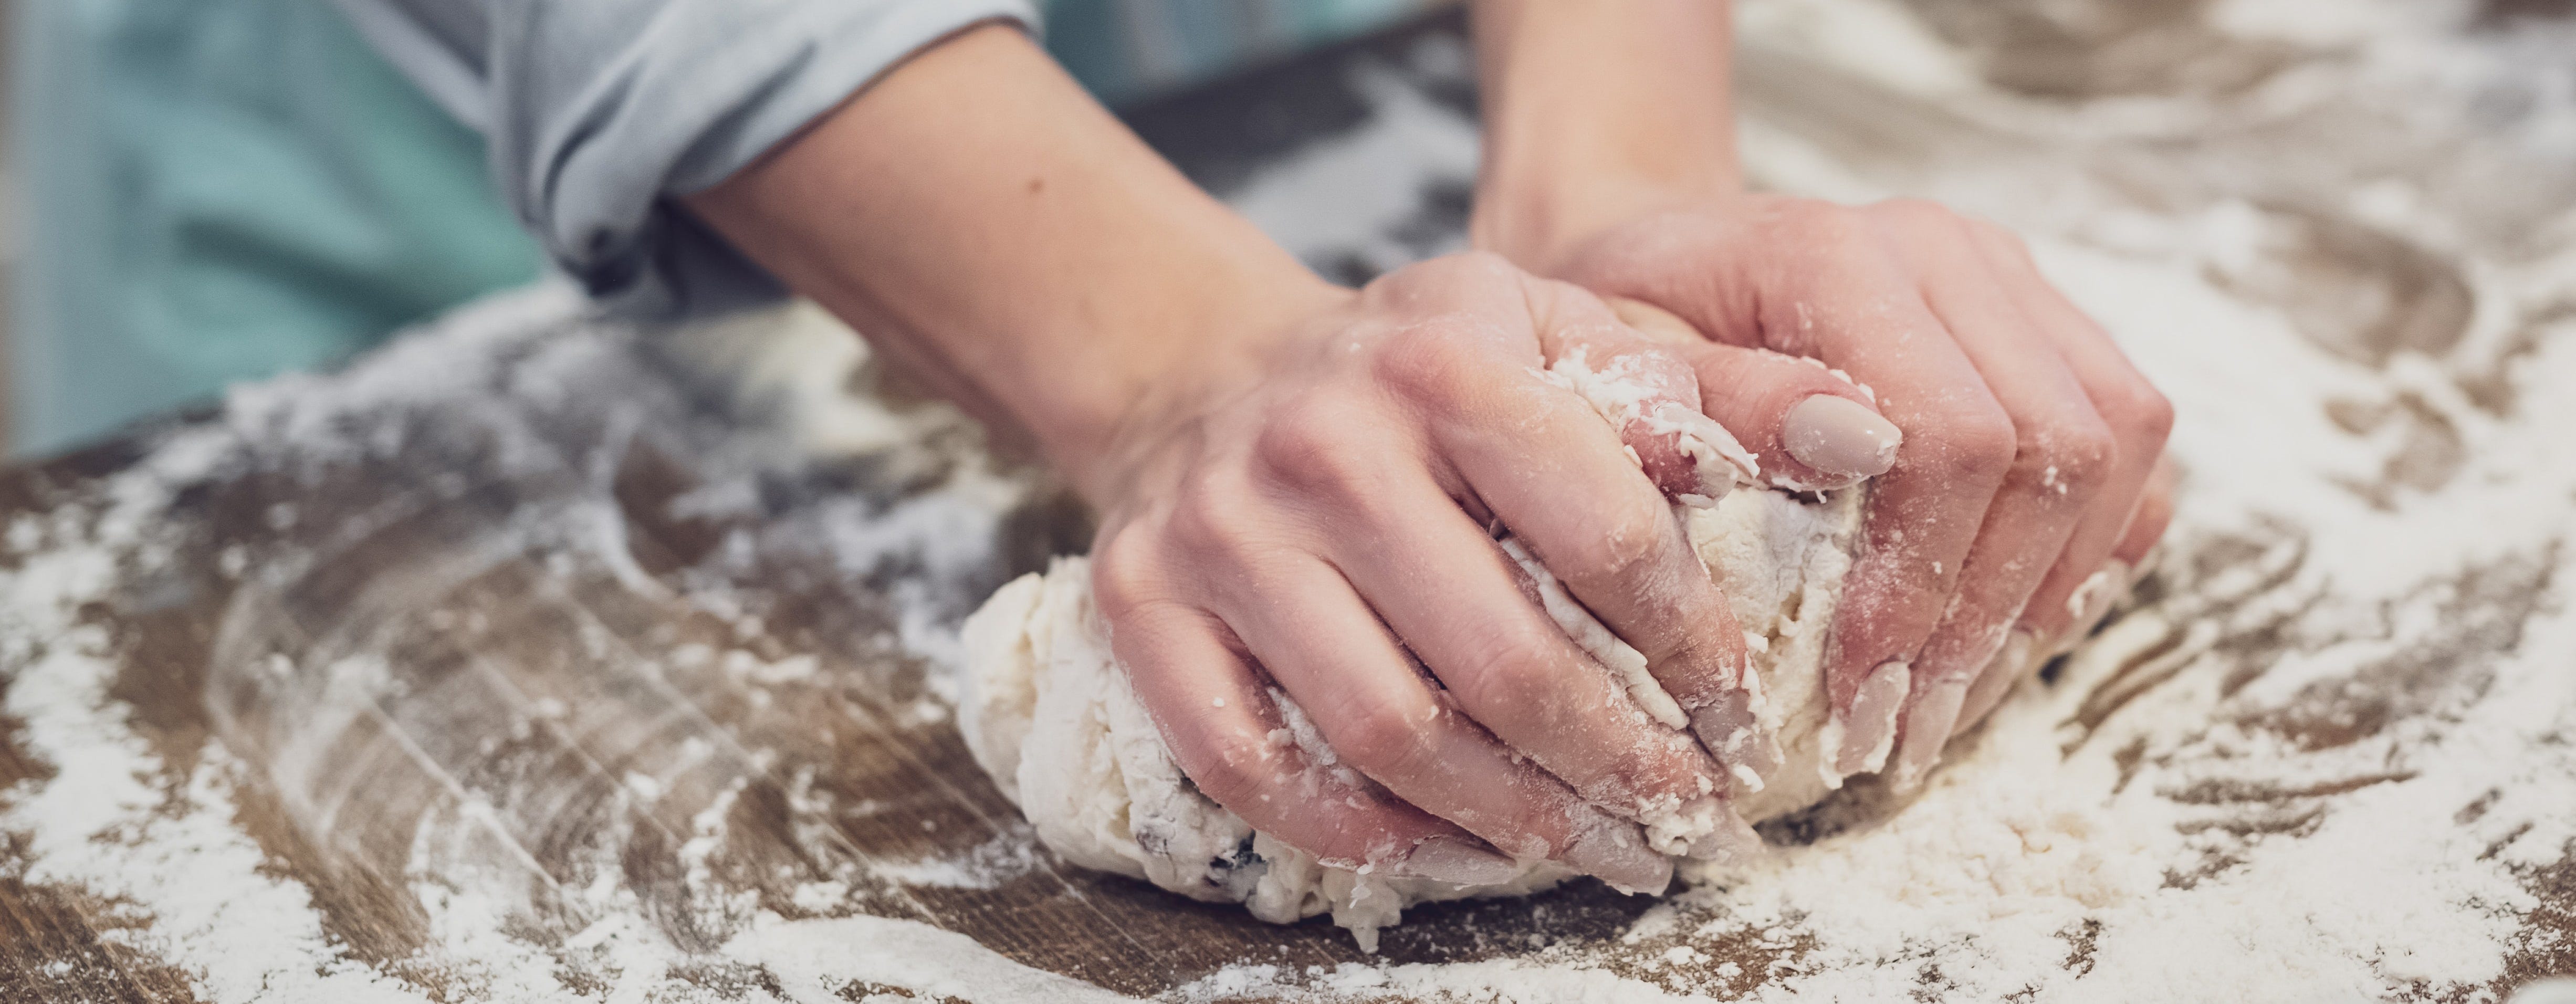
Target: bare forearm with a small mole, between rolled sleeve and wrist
[(1003, 236)]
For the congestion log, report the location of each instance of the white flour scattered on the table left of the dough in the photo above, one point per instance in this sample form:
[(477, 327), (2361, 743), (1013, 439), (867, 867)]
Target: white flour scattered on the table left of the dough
[(120, 825)]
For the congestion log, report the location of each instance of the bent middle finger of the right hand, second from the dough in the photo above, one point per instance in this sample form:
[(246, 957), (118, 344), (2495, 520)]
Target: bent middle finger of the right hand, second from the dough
[(2062, 457)]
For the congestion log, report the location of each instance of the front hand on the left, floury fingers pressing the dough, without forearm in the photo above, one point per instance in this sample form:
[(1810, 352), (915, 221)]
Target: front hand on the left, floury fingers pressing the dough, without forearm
[(1315, 511)]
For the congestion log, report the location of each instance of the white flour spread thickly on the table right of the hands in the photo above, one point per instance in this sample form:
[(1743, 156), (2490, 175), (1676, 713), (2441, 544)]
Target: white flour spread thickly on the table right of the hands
[(2178, 846)]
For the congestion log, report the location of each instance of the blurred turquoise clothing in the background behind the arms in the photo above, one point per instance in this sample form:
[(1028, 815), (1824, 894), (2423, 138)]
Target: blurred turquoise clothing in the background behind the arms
[(243, 187)]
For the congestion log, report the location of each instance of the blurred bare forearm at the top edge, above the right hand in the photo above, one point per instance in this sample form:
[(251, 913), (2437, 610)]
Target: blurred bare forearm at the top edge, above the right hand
[(1598, 112)]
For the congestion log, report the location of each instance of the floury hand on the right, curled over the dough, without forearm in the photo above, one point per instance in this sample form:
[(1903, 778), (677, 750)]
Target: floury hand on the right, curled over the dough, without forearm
[(2029, 439)]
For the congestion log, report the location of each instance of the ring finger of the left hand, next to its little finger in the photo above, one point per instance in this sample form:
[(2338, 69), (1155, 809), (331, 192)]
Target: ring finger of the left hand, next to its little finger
[(1385, 720)]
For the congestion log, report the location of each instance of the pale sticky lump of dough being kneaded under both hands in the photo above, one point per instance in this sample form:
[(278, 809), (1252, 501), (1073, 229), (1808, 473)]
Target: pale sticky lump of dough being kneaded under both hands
[(1057, 727)]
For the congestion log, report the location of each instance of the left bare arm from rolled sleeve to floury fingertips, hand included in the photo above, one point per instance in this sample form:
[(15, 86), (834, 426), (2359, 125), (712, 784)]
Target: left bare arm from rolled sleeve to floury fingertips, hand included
[(1292, 475)]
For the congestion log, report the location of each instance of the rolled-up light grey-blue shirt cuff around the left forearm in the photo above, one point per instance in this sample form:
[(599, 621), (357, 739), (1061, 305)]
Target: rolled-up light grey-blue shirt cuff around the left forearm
[(674, 115)]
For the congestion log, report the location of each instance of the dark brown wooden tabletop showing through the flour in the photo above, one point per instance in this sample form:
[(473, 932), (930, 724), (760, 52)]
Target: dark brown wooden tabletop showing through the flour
[(571, 678)]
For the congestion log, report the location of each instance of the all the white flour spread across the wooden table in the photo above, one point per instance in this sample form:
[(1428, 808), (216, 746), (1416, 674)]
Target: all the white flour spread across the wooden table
[(2325, 758)]
